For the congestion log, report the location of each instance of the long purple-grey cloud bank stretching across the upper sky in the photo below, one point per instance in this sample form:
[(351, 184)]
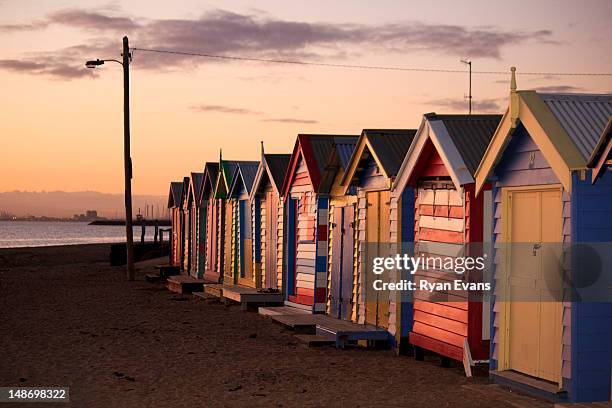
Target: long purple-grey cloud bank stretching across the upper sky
[(261, 35)]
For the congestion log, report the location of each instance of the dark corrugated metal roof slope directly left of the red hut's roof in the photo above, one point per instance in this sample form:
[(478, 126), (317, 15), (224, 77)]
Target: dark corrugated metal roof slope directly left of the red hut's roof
[(390, 146)]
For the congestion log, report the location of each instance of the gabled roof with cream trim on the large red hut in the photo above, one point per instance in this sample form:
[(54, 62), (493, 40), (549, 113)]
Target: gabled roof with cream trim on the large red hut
[(460, 140)]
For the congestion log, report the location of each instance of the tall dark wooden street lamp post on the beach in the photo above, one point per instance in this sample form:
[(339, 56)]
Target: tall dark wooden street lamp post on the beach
[(127, 159)]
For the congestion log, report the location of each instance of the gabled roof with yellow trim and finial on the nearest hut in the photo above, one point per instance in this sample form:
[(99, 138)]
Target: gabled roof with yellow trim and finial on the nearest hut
[(565, 127)]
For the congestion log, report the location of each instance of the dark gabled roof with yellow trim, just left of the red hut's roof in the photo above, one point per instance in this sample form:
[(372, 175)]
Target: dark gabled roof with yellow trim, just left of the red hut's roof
[(388, 148)]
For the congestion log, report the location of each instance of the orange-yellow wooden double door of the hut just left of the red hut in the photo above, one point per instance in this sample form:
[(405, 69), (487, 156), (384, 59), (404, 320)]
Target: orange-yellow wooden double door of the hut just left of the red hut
[(377, 238)]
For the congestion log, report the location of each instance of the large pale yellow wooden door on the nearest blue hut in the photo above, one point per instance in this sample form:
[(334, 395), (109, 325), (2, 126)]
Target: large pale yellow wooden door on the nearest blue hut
[(534, 319)]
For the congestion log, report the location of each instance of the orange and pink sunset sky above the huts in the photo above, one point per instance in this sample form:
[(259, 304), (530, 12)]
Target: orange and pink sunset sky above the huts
[(61, 124)]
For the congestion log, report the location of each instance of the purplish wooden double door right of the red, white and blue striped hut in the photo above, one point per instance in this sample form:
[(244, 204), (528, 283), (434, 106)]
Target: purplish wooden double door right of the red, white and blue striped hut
[(342, 263)]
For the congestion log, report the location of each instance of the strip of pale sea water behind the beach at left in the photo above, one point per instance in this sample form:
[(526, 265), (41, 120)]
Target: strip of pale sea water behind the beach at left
[(15, 234)]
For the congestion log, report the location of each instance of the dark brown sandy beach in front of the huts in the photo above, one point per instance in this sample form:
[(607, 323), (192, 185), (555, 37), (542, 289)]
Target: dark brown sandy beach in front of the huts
[(69, 319)]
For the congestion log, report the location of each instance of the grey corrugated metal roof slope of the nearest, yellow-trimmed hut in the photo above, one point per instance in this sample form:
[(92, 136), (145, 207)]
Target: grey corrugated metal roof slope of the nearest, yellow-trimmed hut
[(582, 116)]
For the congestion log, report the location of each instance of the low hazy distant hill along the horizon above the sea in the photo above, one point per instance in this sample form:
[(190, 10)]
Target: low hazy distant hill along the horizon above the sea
[(66, 204)]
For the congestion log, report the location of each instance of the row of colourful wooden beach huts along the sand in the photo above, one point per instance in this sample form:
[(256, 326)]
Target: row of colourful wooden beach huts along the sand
[(299, 231)]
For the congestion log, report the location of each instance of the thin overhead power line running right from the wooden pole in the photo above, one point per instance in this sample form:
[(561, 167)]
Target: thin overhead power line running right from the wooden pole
[(369, 67)]
